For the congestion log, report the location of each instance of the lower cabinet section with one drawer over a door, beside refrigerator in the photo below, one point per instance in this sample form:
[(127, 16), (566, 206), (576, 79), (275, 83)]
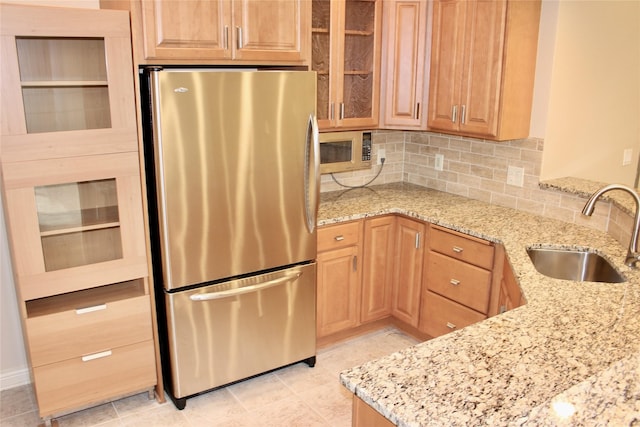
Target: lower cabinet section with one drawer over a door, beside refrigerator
[(339, 277)]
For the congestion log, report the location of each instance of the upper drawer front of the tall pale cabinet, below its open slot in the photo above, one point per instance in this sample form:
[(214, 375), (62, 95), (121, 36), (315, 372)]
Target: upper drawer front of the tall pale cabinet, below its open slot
[(68, 334)]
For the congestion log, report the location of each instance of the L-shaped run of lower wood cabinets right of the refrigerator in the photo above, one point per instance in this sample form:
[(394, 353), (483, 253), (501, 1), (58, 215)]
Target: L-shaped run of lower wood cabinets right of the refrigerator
[(429, 279)]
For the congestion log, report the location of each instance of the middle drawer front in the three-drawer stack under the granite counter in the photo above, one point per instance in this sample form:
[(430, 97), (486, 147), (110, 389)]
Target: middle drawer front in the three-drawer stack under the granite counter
[(464, 283)]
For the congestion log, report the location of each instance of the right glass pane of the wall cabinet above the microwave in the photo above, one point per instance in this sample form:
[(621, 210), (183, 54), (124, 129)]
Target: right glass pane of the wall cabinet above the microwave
[(359, 50)]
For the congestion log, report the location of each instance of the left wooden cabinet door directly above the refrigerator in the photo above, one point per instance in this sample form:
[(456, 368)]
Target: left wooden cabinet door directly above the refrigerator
[(187, 29)]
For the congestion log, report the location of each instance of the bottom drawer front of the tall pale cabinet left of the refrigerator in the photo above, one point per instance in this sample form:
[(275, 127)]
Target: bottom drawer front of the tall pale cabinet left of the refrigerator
[(74, 383)]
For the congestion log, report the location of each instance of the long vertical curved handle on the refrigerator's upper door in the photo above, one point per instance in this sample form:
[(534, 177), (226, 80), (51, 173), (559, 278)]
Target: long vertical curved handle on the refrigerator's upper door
[(312, 173)]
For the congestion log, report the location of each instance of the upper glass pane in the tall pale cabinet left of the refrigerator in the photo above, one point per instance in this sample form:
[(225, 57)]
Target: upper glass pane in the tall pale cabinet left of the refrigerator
[(64, 83)]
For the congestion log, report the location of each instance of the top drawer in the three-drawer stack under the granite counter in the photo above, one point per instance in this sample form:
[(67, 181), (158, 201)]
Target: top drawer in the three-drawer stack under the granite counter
[(465, 248)]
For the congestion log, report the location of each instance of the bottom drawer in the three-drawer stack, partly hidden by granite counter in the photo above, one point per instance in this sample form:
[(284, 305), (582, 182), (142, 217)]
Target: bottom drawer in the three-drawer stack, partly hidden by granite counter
[(440, 315)]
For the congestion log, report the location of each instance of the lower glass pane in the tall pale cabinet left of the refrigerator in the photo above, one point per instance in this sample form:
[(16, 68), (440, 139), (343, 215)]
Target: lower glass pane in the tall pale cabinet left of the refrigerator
[(79, 223)]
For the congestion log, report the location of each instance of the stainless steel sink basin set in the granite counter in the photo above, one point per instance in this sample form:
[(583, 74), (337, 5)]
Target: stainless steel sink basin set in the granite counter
[(577, 265)]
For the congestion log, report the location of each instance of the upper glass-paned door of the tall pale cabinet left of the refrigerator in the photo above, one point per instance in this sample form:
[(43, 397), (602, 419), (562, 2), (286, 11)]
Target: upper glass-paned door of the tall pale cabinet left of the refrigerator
[(67, 90)]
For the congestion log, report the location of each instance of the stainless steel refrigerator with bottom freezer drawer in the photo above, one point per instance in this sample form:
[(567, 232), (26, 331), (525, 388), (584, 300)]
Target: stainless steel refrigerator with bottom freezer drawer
[(232, 175)]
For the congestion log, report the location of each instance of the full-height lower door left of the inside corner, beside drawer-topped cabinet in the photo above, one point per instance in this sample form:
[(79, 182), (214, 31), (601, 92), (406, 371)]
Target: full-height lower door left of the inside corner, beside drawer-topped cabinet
[(377, 269)]
